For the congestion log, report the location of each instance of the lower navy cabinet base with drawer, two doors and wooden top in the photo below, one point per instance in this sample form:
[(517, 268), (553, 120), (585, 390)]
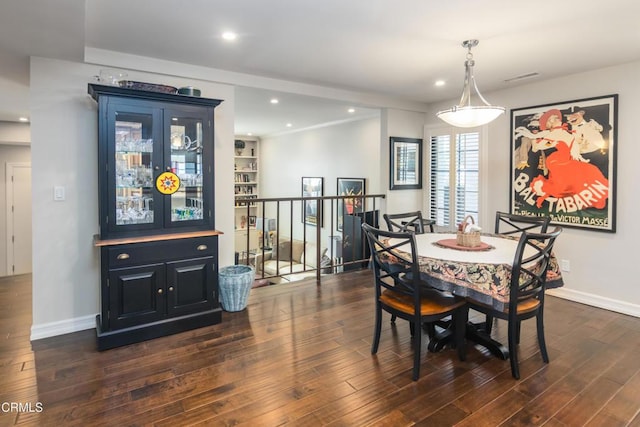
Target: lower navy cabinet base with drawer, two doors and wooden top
[(156, 288)]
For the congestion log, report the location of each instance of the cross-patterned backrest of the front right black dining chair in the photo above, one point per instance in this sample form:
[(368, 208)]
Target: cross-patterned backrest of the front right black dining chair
[(530, 265)]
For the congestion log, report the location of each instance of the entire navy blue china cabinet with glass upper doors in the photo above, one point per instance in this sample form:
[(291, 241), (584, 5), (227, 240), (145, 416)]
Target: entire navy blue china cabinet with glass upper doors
[(158, 243)]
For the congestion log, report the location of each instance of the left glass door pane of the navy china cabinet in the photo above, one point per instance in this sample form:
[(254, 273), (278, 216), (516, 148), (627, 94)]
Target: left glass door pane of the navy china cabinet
[(135, 151)]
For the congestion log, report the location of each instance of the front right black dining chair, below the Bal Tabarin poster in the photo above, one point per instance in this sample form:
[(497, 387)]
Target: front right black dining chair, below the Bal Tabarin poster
[(526, 291)]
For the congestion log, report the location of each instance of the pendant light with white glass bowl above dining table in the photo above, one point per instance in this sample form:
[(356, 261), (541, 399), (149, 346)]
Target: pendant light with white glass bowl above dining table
[(464, 114)]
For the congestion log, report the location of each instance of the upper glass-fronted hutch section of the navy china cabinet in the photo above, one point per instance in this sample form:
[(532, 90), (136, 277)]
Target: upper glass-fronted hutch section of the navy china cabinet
[(155, 162)]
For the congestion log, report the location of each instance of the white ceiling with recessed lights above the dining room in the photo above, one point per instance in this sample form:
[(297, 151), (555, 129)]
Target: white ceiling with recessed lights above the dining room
[(396, 49)]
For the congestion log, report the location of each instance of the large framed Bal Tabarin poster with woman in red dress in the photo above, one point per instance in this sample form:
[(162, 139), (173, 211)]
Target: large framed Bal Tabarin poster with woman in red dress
[(563, 162)]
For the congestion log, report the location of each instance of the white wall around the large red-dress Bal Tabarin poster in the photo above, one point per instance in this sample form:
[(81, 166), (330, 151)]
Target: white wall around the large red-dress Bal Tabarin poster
[(602, 271)]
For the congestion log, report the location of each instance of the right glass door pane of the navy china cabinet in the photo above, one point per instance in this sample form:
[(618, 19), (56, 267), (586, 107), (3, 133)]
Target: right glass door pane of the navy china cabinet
[(186, 153)]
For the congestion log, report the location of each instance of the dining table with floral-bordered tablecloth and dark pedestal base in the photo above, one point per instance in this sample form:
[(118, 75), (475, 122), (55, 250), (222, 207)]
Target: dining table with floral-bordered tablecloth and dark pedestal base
[(481, 273)]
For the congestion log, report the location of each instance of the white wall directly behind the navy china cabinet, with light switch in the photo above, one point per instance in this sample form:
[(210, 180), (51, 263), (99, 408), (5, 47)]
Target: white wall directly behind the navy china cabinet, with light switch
[(66, 266)]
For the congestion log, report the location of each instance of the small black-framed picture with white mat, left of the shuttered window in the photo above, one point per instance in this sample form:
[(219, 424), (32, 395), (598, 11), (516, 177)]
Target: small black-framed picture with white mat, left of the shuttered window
[(405, 170)]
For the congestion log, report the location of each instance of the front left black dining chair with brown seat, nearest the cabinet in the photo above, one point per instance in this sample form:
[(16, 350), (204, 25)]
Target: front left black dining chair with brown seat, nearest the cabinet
[(400, 291)]
